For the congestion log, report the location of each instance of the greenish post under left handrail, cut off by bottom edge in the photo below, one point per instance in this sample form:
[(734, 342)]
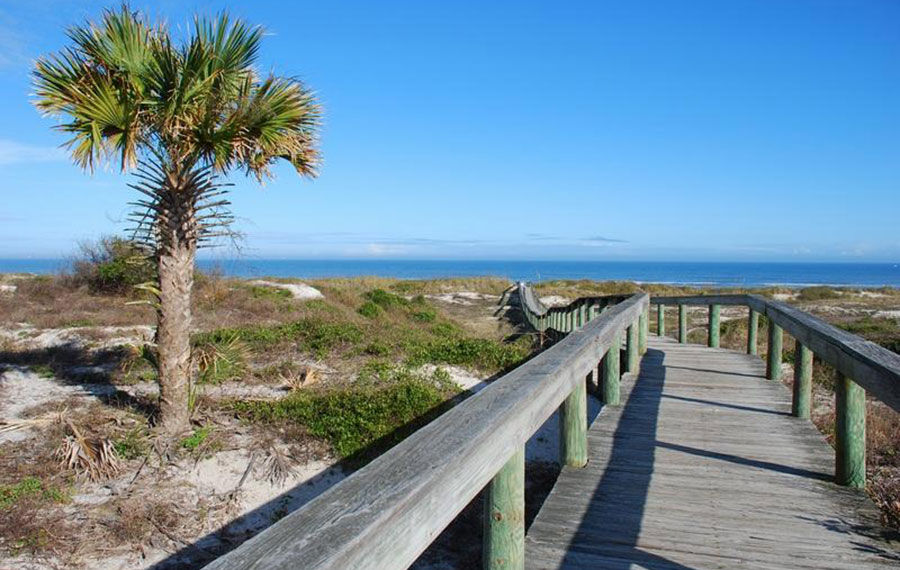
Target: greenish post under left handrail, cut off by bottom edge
[(504, 517)]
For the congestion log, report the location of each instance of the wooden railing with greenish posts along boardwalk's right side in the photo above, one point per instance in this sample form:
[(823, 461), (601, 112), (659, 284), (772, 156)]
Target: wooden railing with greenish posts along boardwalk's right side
[(862, 366)]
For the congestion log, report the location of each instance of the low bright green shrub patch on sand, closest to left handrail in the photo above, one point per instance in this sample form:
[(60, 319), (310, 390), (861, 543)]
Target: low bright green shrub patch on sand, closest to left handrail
[(355, 420)]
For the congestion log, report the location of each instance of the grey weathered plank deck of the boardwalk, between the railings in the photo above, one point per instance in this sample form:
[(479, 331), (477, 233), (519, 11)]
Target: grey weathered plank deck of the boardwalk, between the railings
[(703, 467)]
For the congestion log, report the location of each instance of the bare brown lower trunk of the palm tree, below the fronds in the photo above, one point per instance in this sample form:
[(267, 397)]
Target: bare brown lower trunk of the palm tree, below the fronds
[(176, 280)]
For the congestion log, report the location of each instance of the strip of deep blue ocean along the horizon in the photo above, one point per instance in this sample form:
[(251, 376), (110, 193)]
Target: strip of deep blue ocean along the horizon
[(686, 273)]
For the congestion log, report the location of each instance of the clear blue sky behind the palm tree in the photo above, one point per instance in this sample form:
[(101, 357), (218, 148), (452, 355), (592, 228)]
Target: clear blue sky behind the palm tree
[(761, 130)]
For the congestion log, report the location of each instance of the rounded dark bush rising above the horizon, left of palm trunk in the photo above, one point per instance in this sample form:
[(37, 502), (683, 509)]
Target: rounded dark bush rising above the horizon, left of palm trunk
[(112, 265)]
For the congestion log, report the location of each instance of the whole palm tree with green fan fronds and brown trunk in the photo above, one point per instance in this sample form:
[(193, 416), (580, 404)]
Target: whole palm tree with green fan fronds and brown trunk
[(178, 115)]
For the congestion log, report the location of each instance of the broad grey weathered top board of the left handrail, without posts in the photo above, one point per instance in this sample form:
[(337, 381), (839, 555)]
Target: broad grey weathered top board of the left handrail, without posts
[(386, 514)]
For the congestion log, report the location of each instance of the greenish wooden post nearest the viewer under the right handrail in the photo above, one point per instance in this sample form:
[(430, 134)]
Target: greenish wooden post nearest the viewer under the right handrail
[(850, 433)]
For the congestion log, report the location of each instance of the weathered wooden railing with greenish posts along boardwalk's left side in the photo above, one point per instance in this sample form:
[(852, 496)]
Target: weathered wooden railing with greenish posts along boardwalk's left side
[(385, 515)]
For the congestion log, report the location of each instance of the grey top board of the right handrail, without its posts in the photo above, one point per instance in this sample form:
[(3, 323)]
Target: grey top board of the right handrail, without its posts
[(870, 365)]
